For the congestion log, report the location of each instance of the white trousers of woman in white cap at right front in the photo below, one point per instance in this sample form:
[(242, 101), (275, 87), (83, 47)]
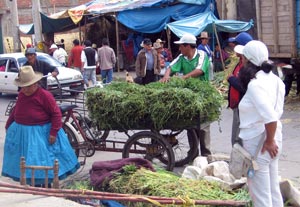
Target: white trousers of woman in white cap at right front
[(264, 186)]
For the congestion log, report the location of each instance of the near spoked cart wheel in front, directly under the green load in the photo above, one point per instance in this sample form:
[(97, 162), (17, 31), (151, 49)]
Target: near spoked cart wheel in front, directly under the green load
[(150, 146)]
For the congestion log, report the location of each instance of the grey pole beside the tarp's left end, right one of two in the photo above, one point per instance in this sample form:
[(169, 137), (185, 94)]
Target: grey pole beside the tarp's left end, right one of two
[(36, 16)]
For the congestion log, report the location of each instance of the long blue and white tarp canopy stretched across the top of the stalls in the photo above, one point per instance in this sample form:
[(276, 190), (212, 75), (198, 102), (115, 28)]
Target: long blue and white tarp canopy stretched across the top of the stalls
[(145, 16)]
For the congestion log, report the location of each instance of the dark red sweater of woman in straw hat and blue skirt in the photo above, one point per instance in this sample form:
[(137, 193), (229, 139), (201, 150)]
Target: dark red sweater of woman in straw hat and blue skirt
[(38, 109)]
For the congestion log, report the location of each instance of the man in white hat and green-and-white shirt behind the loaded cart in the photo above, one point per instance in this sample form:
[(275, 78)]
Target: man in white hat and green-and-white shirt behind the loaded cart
[(191, 63)]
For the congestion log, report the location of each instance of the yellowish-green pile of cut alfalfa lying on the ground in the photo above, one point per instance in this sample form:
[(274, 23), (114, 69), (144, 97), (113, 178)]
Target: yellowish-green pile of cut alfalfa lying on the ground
[(167, 184)]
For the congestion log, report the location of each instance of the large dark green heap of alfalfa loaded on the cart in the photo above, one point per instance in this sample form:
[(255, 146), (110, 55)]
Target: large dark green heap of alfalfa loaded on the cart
[(178, 104)]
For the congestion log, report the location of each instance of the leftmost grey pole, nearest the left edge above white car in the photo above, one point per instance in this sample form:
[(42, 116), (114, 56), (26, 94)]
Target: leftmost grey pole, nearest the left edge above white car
[(15, 23)]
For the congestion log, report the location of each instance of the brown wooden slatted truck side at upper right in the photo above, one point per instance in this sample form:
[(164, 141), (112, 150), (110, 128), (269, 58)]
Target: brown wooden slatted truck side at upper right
[(277, 25)]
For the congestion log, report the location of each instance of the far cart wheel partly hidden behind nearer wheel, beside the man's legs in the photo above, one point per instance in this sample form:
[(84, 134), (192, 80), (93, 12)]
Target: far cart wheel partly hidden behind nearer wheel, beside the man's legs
[(183, 151)]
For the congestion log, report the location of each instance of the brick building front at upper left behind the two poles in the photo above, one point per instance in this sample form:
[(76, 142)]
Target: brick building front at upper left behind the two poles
[(15, 12)]
